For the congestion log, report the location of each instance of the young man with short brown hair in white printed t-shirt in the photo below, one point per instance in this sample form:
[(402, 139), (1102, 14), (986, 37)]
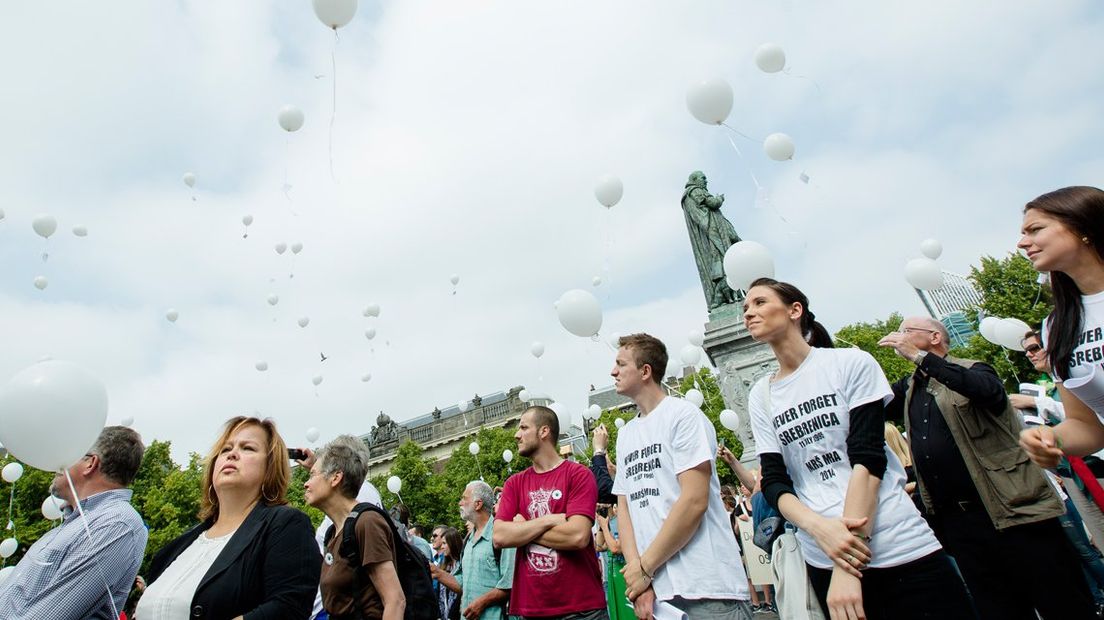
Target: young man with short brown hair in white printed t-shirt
[(675, 532)]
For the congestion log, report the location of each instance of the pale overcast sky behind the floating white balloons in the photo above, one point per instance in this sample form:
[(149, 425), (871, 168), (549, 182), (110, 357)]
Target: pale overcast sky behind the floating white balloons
[(468, 140)]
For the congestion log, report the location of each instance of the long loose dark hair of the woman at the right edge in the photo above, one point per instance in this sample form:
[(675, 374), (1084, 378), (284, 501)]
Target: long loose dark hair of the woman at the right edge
[(1081, 210)]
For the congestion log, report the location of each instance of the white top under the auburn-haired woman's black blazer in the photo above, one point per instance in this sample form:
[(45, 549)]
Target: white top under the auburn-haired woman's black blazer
[(171, 596)]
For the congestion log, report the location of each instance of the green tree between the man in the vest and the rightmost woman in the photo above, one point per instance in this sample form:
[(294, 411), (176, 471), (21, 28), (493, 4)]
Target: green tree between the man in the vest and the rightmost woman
[(1010, 290)]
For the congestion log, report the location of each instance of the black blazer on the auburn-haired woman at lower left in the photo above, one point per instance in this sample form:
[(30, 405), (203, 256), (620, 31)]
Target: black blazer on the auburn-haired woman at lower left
[(270, 569)]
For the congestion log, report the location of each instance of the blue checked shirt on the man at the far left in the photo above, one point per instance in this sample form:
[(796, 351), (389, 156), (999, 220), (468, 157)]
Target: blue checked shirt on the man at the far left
[(65, 576)]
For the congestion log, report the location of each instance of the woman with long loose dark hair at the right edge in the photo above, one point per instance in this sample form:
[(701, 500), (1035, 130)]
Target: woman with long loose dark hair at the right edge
[(1064, 236)]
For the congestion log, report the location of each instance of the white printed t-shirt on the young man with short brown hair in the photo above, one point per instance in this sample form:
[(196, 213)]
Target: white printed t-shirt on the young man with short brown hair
[(652, 452)]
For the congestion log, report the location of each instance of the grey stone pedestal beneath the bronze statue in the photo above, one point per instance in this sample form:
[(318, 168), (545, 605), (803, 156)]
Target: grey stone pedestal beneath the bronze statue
[(740, 362)]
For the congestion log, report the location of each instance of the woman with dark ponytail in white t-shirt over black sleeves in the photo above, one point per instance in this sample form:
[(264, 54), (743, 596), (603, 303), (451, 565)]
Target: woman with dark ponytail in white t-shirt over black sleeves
[(819, 425)]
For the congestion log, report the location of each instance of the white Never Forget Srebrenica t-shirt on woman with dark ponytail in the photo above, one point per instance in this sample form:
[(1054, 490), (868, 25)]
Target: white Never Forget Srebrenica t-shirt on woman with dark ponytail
[(808, 423)]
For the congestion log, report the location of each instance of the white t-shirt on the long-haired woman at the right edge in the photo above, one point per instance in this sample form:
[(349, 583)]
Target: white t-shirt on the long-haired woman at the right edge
[(1087, 365)]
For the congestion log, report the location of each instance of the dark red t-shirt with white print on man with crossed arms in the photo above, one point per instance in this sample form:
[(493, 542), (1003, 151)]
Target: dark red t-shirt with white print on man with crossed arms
[(549, 582)]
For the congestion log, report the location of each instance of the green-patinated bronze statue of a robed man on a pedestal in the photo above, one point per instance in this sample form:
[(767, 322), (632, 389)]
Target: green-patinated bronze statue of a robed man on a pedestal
[(712, 236)]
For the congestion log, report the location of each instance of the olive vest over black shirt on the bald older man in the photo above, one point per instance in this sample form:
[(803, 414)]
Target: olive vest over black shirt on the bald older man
[(1014, 490)]
